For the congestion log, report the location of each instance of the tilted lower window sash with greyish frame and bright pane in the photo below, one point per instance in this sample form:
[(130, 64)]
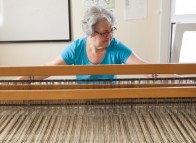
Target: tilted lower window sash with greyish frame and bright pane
[(184, 43)]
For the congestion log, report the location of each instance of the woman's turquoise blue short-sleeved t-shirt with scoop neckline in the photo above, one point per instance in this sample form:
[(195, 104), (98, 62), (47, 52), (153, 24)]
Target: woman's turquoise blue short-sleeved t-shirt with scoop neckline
[(75, 54)]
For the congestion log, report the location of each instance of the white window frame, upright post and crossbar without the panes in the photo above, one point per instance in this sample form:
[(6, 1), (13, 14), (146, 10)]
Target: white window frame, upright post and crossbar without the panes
[(168, 20)]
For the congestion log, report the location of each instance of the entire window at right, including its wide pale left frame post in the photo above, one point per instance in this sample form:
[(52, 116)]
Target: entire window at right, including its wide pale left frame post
[(178, 31)]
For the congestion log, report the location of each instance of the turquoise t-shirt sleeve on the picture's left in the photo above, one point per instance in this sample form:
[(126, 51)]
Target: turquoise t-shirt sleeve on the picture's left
[(68, 54)]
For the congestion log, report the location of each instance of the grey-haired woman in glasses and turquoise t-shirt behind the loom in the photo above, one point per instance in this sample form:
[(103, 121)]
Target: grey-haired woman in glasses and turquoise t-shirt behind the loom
[(98, 47)]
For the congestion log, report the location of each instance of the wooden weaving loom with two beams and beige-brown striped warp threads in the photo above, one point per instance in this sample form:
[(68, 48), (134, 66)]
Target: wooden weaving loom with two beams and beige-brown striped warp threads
[(122, 110)]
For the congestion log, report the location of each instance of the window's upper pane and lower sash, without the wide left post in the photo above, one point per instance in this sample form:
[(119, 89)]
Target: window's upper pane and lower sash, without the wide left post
[(183, 19)]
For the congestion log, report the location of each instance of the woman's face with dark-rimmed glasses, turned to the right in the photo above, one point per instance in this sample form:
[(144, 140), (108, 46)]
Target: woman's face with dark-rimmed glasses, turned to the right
[(103, 34)]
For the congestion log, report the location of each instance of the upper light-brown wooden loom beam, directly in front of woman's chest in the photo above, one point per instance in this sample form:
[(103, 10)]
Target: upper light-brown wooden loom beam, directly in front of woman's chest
[(99, 69)]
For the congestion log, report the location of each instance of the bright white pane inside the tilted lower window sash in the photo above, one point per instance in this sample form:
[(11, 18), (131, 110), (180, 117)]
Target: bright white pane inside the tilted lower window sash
[(188, 49)]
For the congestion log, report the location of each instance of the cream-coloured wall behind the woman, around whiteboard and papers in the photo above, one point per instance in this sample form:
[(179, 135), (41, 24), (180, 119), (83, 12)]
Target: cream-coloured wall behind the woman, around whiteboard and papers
[(143, 36)]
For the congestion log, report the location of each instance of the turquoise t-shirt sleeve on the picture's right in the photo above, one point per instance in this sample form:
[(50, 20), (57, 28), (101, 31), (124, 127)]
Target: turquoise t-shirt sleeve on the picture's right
[(123, 52)]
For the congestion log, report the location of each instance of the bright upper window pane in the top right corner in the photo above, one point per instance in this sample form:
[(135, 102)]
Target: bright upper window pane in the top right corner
[(184, 7)]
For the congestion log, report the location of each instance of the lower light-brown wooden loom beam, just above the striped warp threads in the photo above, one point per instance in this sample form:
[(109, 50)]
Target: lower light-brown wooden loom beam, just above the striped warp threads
[(159, 92)]
